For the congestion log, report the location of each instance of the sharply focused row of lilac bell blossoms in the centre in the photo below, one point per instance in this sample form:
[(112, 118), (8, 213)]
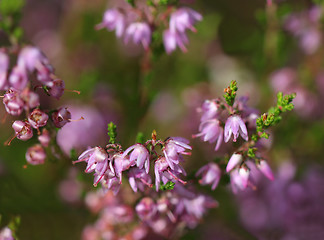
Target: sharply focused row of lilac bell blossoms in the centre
[(109, 163)]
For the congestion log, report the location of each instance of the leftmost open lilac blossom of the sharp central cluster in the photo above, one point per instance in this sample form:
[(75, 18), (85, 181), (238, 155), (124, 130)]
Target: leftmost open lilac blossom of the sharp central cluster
[(97, 160)]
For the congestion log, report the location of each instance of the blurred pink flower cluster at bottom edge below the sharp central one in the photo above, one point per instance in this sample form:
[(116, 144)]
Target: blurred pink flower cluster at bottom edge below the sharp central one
[(163, 215)]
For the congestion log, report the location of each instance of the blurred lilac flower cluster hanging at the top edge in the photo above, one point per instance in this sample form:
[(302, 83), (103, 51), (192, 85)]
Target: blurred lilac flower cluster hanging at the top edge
[(138, 24)]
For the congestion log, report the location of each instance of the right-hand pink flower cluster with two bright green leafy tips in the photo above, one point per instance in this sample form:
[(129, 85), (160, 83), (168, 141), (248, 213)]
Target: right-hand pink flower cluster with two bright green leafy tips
[(221, 120)]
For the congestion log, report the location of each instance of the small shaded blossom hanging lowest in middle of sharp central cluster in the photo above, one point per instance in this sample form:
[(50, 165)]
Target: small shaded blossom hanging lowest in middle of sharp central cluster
[(138, 179)]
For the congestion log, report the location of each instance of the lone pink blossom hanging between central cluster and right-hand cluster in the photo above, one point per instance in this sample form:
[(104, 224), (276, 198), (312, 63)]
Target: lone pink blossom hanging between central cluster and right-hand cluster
[(211, 174)]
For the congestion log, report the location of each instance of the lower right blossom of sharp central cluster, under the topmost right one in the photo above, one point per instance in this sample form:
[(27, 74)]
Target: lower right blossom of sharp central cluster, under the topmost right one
[(164, 173)]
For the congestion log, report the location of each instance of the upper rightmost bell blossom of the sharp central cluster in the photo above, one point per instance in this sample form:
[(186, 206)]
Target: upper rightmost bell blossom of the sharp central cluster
[(173, 149)]
